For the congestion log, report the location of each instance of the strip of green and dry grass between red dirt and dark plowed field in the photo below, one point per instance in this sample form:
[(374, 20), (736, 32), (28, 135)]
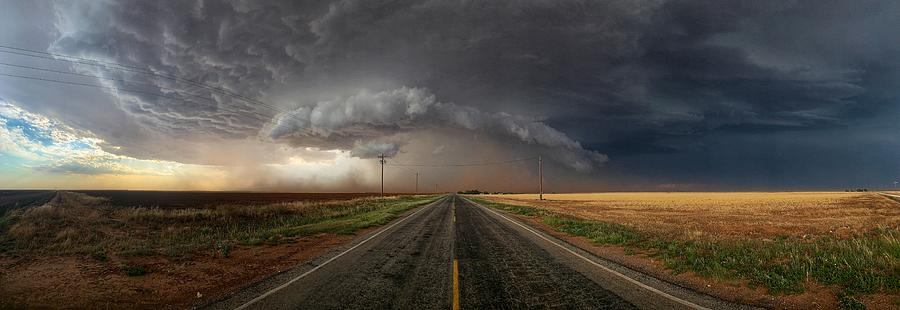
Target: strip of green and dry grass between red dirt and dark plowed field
[(77, 224)]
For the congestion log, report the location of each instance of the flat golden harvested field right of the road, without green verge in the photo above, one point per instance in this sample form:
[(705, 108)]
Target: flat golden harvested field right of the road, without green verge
[(728, 214)]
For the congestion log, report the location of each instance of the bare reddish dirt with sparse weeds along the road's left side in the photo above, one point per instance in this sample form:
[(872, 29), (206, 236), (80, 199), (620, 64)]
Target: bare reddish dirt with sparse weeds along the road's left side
[(81, 282)]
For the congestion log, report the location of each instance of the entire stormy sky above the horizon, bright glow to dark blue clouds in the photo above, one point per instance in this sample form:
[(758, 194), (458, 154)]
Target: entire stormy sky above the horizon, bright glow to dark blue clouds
[(302, 96)]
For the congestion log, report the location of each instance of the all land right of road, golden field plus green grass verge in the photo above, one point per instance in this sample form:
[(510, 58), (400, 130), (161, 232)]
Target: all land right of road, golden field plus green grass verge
[(800, 248)]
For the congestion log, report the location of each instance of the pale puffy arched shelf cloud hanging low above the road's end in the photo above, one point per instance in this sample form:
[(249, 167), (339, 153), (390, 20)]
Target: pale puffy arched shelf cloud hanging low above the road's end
[(370, 115)]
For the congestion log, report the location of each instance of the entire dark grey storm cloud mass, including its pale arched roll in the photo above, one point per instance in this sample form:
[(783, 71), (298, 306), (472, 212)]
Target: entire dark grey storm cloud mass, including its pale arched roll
[(623, 77)]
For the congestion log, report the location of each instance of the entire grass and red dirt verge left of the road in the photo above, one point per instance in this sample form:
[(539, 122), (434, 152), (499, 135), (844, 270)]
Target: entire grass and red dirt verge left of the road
[(81, 251)]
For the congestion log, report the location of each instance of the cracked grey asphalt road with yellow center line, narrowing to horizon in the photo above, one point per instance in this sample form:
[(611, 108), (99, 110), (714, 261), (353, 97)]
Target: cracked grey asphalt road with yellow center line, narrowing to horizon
[(456, 254)]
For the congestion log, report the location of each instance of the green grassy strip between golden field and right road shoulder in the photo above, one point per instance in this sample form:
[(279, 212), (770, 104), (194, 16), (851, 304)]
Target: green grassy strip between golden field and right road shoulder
[(861, 265)]
